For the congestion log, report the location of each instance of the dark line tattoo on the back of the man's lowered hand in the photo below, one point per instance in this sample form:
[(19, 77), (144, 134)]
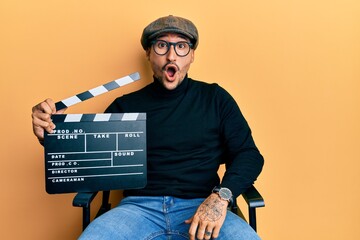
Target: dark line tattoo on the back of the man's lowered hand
[(211, 209)]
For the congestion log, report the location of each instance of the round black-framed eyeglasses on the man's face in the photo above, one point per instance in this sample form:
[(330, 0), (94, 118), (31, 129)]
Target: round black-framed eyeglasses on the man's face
[(162, 47)]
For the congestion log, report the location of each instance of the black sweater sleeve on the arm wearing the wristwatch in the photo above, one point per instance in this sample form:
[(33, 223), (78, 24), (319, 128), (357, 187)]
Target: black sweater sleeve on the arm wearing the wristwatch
[(242, 158)]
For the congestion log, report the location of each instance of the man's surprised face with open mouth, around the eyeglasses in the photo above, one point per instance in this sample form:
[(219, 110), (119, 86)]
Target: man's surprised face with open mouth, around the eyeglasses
[(170, 69)]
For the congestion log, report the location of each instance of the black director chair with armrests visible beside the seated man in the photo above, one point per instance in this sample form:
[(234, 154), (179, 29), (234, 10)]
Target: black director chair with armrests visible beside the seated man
[(251, 196)]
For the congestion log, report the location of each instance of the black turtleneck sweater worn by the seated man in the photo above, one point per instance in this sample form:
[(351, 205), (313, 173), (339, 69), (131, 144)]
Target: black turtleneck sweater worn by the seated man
[(191, 130)]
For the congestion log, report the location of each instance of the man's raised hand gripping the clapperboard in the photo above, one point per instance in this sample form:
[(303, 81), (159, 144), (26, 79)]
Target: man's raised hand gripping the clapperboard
[(41, 117)]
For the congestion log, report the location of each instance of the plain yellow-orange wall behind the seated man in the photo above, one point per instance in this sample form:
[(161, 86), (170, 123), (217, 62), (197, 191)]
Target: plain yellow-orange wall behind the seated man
[(293, 66)]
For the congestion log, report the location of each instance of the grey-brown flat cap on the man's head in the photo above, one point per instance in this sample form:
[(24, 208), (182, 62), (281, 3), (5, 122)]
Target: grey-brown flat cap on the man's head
[(170, 24)]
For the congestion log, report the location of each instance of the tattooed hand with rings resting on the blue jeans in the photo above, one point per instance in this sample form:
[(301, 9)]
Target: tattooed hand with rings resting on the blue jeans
[(208, 219)]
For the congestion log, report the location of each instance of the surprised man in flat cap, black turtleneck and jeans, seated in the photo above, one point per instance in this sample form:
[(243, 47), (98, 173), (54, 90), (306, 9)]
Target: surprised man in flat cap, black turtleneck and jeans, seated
[(192, 127)]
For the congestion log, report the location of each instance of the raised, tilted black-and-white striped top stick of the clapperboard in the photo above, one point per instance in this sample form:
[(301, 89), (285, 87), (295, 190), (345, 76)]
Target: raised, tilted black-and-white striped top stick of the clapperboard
[(97, 91)]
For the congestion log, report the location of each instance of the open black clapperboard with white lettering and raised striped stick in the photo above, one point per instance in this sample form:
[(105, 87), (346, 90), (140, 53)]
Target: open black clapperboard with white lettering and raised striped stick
[(93, 152)]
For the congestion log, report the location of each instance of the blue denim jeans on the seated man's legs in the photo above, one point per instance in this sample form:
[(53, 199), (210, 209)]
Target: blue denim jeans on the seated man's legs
[(158, 218)]
